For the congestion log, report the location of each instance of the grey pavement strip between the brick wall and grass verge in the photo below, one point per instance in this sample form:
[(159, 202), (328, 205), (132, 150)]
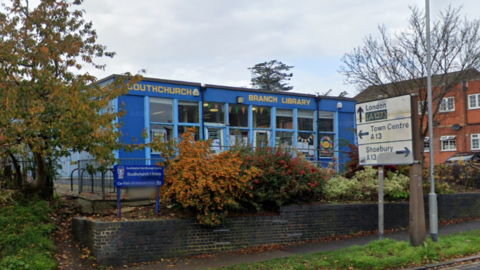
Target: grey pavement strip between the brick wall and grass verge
[(213, 261)]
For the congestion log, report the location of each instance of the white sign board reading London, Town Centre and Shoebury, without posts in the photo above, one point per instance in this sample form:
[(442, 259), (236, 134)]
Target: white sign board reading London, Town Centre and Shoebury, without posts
[(385, 132)]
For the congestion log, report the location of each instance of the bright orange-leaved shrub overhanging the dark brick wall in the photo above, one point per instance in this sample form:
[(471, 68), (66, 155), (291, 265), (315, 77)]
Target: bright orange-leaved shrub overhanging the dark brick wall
[(210, 185)]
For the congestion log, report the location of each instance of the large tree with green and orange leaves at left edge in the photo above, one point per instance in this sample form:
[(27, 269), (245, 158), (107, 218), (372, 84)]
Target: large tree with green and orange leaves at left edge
[(46, 108)]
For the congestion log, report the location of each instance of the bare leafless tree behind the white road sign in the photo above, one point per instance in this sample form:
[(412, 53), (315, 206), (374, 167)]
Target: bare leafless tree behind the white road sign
[(397, 64)]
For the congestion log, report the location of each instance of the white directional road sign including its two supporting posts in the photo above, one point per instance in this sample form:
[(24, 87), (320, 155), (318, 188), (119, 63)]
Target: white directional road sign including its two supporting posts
[(385, 135)]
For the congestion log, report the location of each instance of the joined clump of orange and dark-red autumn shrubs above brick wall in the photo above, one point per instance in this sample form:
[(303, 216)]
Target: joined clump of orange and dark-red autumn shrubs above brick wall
[(213, 186)]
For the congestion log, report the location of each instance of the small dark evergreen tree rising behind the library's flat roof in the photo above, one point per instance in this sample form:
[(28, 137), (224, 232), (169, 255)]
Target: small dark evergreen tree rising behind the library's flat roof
[(270, 76)]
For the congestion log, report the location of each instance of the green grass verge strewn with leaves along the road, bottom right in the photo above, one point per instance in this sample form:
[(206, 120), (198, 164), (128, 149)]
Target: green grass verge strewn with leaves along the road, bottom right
[(384, 254)]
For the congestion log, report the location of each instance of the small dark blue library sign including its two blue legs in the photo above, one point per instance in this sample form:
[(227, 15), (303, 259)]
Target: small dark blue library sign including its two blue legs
[(126, 176)]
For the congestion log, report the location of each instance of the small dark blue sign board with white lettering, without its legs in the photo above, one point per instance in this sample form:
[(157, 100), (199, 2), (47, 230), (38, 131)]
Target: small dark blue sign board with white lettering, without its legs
[(138, 175)]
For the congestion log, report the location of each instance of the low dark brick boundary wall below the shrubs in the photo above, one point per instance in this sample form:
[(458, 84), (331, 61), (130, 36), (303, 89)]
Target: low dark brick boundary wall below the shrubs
[(124, 242)]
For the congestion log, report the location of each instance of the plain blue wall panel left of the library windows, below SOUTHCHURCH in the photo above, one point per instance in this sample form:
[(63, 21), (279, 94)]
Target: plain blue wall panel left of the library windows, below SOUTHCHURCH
[(132, 123)]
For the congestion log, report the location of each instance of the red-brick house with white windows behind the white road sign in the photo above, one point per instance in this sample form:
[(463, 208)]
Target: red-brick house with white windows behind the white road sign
[(457, 122)]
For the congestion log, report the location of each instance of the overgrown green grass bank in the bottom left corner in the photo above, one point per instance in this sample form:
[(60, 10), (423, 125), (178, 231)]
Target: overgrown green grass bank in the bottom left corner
[(24, 237)]
